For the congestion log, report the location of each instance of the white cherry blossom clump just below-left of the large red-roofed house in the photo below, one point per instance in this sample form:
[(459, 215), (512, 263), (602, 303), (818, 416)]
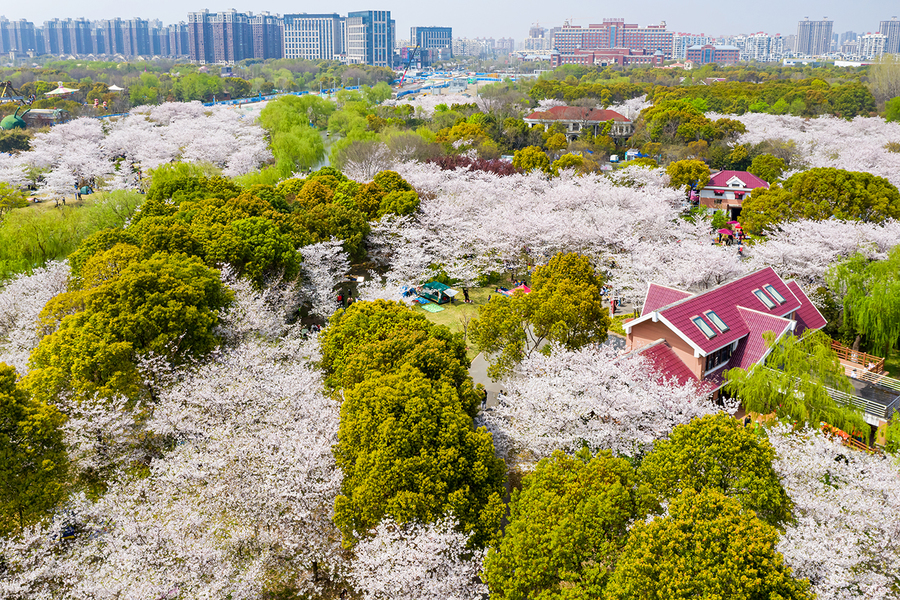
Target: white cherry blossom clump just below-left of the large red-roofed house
[(589, 397)]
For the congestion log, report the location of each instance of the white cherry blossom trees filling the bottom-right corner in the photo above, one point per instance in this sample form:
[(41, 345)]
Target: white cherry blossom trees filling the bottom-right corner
[(846, 538)]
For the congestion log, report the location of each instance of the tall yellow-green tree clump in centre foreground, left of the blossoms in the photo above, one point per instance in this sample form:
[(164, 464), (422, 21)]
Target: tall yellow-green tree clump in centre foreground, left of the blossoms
[(407, 444)]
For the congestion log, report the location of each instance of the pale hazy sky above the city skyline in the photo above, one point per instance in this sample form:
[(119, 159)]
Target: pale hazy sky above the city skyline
[(506, 18)]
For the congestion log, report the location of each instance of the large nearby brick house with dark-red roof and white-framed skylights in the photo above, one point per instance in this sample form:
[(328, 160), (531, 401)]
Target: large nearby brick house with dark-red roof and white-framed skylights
[(718, 329)]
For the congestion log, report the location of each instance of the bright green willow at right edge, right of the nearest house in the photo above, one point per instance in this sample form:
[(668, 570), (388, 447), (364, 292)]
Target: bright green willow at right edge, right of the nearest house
[(871, 292)]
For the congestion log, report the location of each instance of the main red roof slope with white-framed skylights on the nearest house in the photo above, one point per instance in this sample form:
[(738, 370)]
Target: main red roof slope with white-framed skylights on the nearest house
[(724, 300)]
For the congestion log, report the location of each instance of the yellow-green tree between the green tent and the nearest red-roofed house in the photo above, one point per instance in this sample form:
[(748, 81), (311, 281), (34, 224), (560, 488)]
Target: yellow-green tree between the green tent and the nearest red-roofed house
[(564, 307)]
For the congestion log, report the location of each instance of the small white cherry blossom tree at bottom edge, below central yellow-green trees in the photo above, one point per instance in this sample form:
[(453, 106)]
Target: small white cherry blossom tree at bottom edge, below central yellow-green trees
[(417, 562)]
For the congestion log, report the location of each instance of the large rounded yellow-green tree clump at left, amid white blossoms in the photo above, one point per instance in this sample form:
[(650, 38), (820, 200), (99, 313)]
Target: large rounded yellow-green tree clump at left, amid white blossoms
[(167, 305)]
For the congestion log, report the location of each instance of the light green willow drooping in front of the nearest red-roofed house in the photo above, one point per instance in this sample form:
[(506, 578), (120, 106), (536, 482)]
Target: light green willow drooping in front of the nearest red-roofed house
[(794, 383)]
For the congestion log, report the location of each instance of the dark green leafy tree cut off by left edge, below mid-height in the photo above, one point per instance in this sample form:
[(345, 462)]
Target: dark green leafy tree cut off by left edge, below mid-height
[(33, 459)]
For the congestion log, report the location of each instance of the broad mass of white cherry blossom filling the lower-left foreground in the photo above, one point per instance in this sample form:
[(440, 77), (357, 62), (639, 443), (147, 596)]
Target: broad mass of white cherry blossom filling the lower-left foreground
[(240, 504)]
